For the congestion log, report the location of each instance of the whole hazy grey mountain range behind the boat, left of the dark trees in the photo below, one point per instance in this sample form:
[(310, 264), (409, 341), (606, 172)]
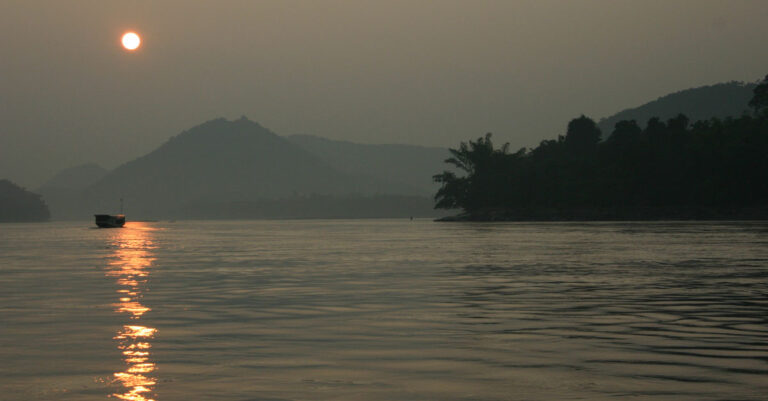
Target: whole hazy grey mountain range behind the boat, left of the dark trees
[(212, 167)]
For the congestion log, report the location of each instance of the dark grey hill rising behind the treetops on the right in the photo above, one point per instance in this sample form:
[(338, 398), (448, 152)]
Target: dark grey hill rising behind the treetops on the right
[(702, 103)]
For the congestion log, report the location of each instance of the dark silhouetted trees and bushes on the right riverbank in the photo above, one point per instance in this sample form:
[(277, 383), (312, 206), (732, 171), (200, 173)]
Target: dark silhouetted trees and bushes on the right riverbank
[(716, 168)]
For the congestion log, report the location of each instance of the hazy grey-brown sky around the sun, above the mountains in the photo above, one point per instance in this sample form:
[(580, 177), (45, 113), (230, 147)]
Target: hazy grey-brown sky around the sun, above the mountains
[(420, 72)]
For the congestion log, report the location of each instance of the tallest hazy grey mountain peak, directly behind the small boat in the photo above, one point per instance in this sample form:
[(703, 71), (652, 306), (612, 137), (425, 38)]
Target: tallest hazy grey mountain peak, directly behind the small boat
[(219, 163)]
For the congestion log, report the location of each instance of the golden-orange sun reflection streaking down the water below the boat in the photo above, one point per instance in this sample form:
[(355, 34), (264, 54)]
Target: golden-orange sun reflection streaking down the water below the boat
[(130, 268)]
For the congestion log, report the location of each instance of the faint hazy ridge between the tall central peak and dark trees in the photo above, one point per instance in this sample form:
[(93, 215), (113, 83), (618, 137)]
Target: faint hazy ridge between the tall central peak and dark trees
[(404, 164)]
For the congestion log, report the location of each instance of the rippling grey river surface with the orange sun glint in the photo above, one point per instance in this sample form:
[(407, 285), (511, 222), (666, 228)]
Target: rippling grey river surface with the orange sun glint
[(384, 310)]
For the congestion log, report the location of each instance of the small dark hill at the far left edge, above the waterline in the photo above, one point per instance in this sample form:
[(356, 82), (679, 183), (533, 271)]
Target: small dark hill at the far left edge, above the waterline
[(19, 205)]
